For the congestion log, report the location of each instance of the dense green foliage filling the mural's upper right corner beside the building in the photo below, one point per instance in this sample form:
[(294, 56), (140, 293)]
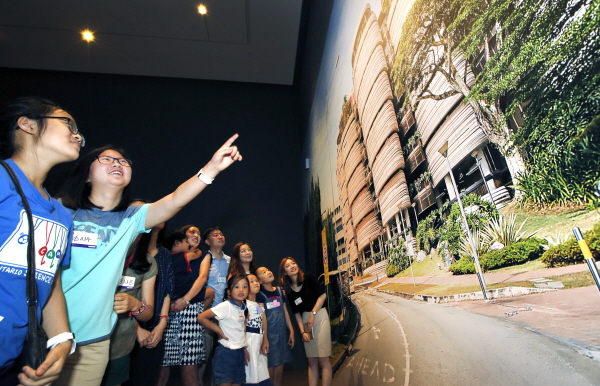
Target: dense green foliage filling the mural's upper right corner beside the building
[(547, 63)]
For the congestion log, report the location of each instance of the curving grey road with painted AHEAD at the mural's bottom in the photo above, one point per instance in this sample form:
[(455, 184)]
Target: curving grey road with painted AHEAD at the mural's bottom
[(406, 343)]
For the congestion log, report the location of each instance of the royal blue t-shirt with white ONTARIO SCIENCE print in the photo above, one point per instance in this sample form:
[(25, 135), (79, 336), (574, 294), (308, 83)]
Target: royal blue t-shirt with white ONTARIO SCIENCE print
[(52, 228)]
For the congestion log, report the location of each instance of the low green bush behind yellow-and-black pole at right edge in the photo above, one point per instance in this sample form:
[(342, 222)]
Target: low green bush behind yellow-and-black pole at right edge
[(569, 252)]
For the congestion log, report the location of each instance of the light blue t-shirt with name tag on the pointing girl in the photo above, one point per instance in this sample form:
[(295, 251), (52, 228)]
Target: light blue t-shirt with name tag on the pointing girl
[(99, 245)]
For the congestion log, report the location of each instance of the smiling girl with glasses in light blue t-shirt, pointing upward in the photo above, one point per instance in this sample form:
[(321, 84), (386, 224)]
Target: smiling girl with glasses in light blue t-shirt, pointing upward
[(97, 195)]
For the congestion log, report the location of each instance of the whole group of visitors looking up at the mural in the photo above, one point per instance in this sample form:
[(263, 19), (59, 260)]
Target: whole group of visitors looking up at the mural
[(136, 302)]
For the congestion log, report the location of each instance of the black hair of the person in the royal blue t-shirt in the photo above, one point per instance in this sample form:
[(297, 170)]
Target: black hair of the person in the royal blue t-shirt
[(31, 107)]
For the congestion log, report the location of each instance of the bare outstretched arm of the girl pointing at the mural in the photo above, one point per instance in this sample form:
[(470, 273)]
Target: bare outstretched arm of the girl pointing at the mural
[(168, 206)]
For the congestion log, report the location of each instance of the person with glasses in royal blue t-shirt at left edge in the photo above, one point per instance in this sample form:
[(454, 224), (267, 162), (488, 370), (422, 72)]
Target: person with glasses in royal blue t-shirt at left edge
[(35, 135)]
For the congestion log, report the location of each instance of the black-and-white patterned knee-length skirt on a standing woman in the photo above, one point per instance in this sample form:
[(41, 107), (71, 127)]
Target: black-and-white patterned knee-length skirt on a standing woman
[(184, 337)]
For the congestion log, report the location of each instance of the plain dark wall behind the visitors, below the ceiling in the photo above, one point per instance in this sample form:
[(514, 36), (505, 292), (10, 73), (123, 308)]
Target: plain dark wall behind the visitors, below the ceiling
[(171, 128)]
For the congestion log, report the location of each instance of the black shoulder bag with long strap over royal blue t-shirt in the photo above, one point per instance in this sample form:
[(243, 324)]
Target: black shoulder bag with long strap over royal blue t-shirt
[(34, 350)]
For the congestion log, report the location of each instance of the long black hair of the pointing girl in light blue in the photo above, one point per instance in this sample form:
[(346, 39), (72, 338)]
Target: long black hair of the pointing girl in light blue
[(75, 193)]
